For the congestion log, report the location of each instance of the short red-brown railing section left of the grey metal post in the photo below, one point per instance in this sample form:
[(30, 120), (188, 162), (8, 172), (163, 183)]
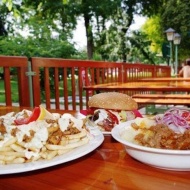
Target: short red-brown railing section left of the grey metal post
[(19, 66)]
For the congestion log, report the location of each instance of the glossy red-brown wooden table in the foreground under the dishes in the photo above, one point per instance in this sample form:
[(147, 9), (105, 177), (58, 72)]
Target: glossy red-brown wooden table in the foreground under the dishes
[(108, 167)]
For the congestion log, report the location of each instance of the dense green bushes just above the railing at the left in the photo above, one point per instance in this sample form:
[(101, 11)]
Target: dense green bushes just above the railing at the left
[(29, 47)]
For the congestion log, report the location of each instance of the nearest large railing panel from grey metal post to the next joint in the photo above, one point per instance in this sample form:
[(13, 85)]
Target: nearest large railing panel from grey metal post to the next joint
[(72, 75)]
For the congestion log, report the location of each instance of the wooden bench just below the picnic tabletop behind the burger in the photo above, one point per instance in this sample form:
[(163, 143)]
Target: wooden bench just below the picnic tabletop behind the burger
[(151, 100)]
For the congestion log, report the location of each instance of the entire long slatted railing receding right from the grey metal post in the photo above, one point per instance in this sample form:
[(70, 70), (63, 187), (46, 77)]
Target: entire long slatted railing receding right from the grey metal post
[(49, 73)]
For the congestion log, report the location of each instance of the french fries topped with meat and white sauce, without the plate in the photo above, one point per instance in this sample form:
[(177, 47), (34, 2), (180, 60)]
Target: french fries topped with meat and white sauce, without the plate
[(29, 136)]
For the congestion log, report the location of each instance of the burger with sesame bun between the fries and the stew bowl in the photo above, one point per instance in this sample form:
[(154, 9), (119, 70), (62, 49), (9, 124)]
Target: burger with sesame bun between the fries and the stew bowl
[(111, 108)]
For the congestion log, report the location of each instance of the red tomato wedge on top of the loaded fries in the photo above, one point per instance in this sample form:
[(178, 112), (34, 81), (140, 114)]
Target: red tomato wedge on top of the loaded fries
[(33, 117)]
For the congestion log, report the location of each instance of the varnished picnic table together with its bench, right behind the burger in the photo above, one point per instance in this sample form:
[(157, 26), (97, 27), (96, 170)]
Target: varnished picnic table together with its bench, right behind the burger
[(143, 88)]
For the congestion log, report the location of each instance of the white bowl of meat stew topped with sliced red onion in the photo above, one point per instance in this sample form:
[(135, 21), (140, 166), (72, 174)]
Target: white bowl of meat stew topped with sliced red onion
[(162, 141)]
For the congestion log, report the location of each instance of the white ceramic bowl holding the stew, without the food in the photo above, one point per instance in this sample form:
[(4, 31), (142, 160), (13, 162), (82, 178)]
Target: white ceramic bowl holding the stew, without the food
[(178, 160)]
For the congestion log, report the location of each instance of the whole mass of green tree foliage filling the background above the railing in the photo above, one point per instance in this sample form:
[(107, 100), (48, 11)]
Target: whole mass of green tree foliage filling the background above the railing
[(106, 22)]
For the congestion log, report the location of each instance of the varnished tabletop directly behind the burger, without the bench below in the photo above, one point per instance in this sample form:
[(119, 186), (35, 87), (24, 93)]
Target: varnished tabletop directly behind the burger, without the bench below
[(165, 86)]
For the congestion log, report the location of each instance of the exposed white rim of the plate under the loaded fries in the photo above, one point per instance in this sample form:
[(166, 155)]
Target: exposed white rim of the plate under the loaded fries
[(96, 140)]
